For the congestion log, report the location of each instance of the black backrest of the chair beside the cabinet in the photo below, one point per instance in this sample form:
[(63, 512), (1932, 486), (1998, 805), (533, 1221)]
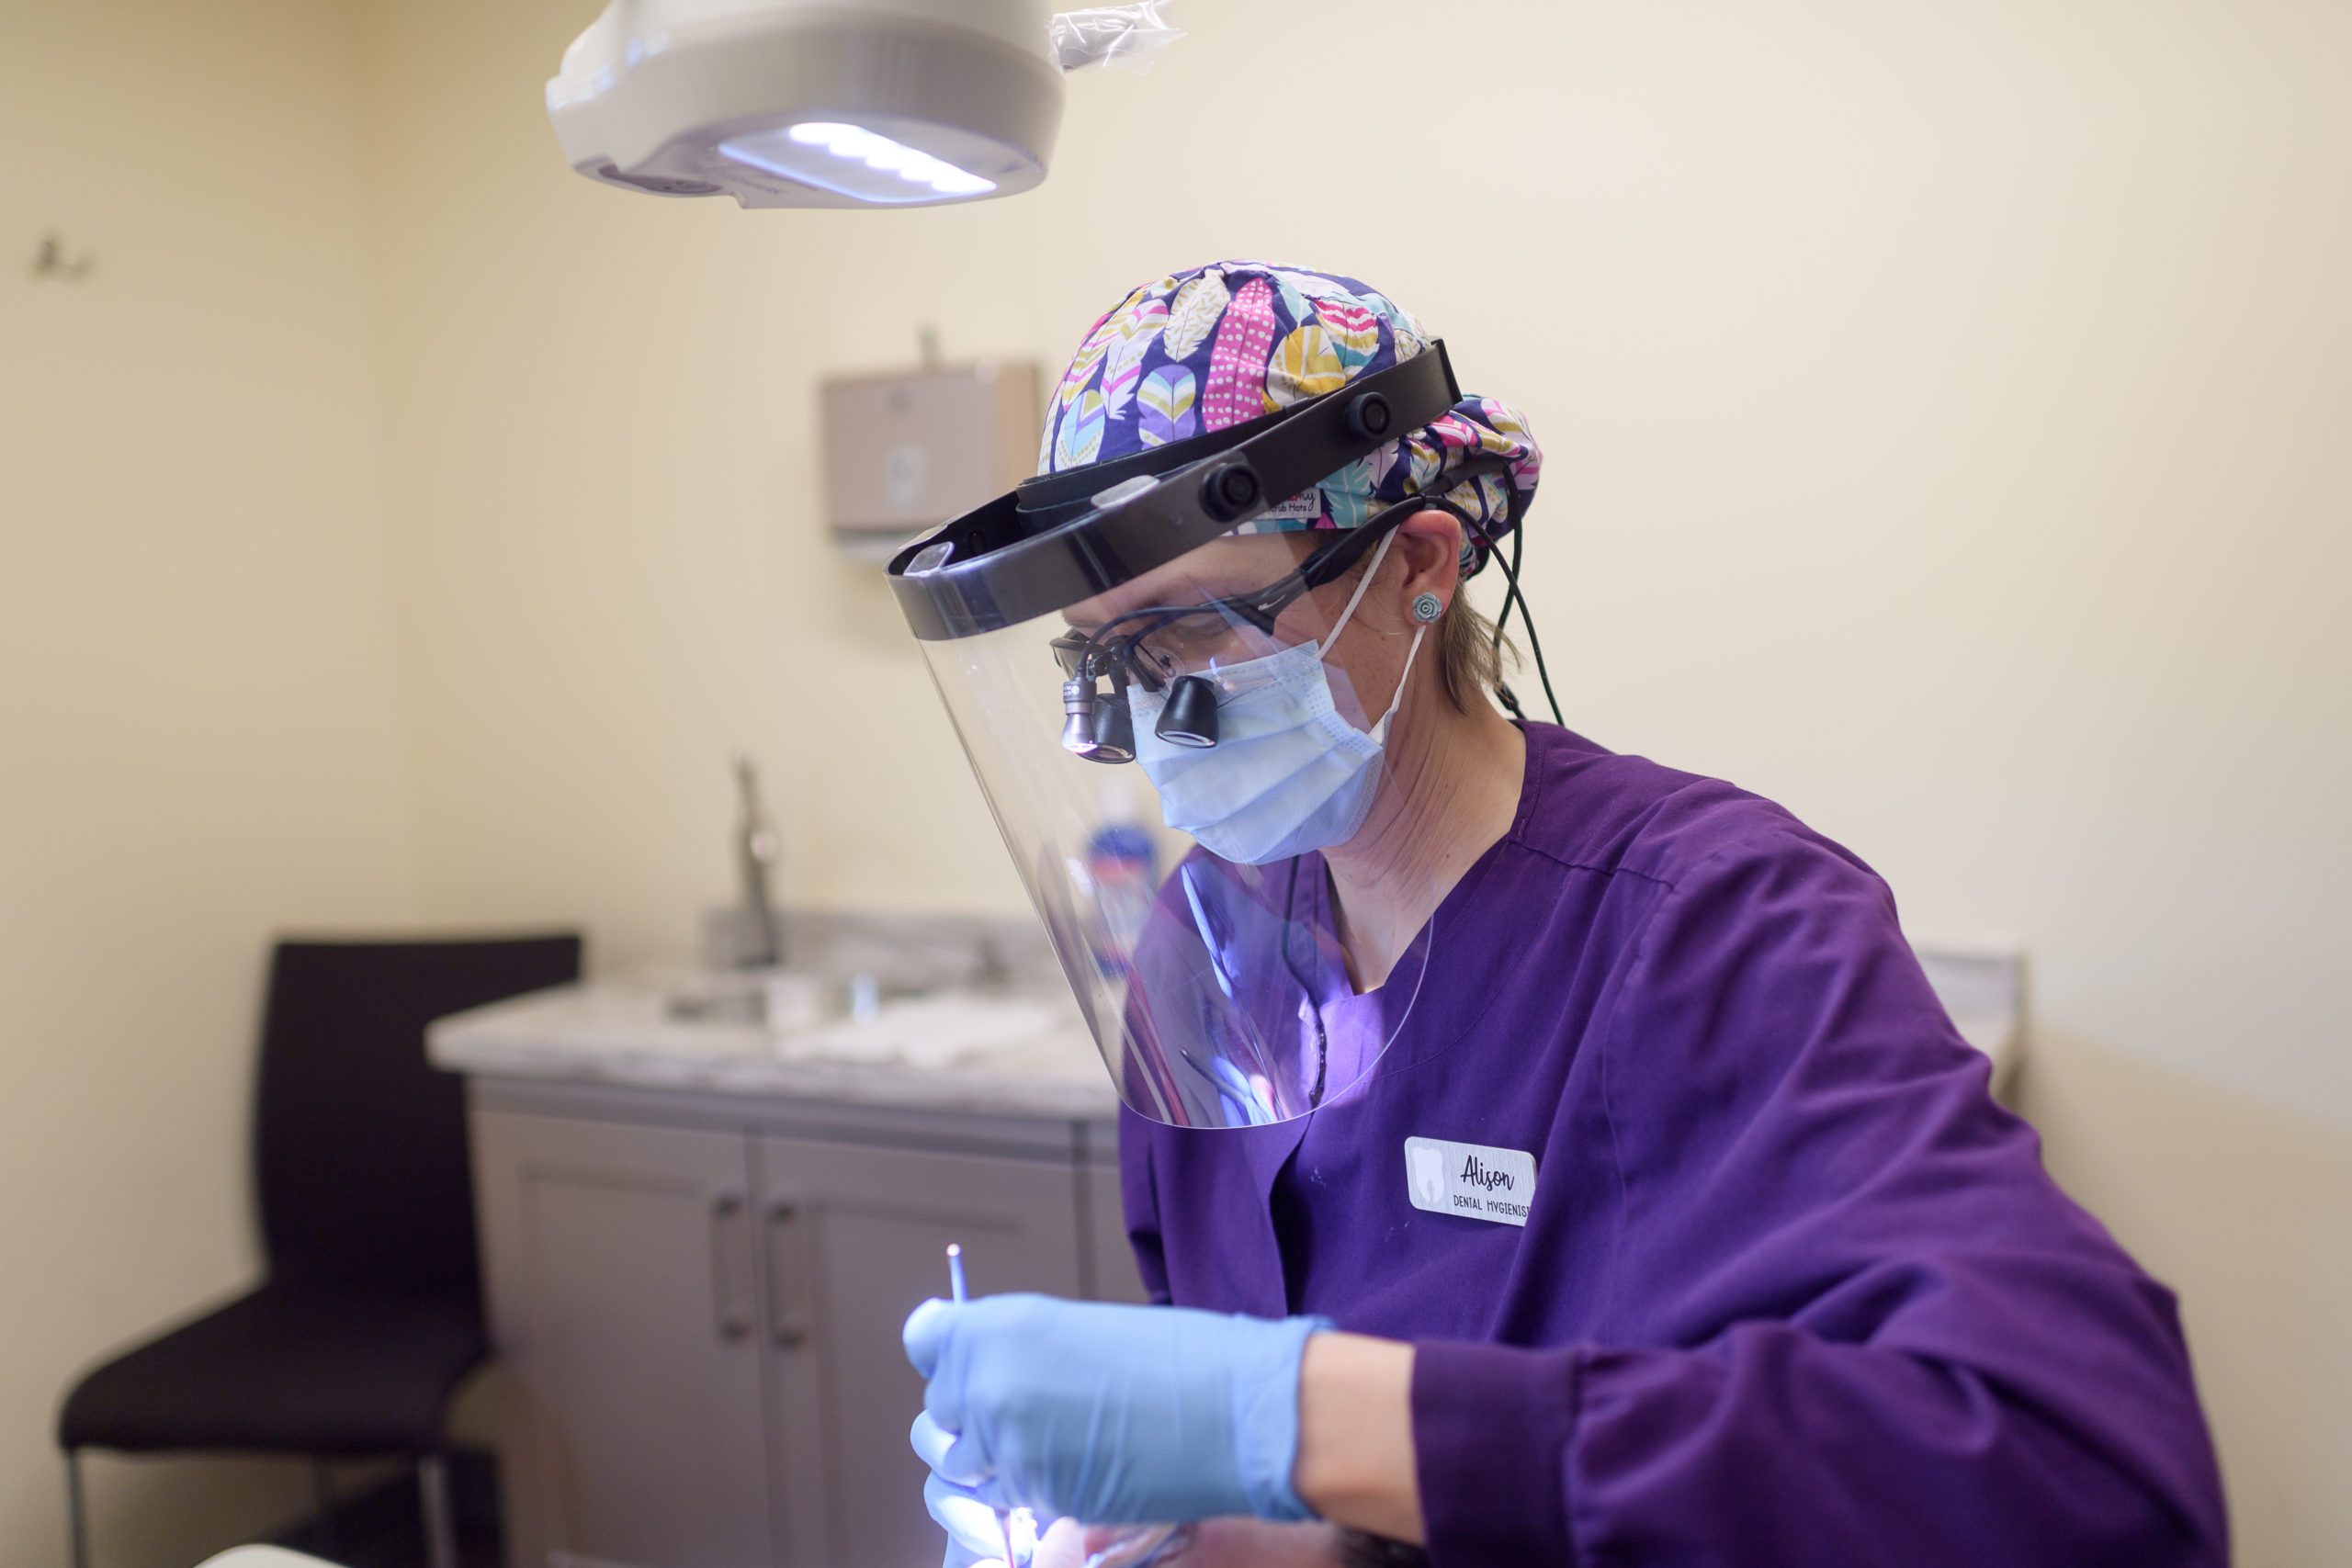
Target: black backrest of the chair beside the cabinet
[(361, 1144)]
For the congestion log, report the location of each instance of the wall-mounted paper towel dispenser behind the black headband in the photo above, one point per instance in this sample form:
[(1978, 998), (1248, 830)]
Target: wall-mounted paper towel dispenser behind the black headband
[(911, 450)]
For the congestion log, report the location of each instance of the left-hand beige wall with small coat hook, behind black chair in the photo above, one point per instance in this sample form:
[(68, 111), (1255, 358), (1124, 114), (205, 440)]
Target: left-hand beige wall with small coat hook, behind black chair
[(199, 737)]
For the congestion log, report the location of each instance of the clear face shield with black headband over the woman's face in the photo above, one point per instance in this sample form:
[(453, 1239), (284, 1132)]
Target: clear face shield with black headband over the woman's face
[(1170, 742)]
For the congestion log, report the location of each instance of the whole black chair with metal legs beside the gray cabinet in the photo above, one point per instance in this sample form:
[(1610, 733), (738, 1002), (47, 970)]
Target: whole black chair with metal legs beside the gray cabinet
[(373, 1311)]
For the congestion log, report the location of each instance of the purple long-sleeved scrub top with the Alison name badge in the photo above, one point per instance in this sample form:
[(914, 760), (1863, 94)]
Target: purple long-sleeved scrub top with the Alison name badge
[(1791, 1292)]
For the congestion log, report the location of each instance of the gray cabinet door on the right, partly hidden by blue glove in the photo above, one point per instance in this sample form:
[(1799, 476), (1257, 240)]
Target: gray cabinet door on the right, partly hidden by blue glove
[(855, 1238)]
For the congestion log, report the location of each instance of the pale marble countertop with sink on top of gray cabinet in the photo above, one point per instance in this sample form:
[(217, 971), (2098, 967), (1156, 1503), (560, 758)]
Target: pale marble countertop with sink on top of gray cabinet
[(1020, 1052)]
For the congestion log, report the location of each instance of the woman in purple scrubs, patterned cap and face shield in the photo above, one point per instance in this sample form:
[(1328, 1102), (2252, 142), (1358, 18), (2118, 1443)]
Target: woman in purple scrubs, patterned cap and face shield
[(1539, 1155)]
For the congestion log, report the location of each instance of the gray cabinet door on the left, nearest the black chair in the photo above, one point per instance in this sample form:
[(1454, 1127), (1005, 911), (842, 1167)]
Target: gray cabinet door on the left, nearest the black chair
[(624, 1301)]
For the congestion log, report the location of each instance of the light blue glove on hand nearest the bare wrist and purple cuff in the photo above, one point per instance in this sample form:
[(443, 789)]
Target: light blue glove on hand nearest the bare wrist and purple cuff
[(1109, 1414)]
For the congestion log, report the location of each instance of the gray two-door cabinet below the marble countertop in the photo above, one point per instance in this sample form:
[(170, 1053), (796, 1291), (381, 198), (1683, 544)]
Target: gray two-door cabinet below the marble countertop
[(697, 1311)]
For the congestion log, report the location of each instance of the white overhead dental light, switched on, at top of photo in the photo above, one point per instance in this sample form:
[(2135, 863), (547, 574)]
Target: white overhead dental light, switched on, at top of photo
[(831, 102)]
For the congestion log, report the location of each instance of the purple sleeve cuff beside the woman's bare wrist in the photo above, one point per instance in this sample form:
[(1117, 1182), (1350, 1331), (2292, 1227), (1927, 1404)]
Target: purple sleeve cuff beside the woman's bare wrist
[(1492, 1435)]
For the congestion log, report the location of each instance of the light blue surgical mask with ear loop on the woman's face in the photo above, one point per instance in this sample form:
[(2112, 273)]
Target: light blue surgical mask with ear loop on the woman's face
[(1288, 772)]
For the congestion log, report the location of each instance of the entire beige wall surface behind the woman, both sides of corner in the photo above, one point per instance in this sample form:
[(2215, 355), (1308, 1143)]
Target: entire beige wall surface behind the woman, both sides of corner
[(1946, 415)]
